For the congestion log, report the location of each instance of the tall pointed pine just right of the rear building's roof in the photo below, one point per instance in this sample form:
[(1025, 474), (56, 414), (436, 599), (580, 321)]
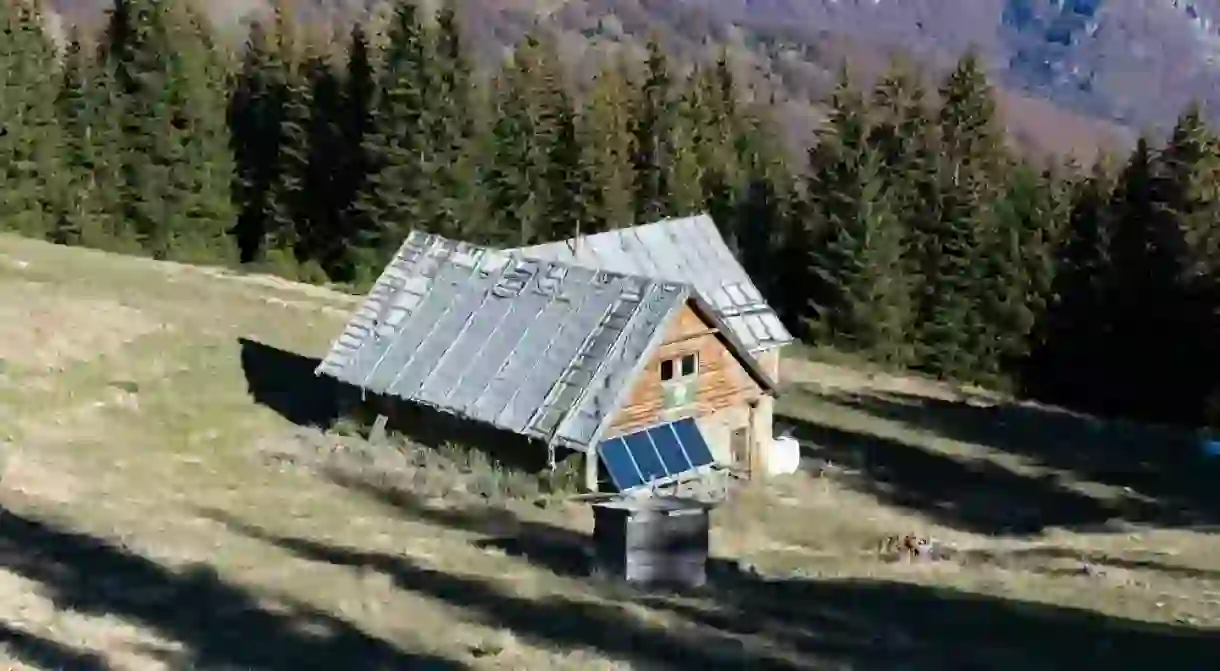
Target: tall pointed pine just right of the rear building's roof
[(866, 301)]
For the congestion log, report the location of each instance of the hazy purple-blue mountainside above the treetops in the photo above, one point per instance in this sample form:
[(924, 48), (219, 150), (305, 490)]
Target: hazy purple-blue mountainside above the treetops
[(1075, 75)]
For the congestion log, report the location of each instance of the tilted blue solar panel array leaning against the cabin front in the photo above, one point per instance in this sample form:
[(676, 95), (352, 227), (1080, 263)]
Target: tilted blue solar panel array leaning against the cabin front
[(655, 454)]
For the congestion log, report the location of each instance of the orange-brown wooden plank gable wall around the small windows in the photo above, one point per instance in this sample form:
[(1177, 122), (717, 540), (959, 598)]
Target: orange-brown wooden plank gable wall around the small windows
[(722, 384)]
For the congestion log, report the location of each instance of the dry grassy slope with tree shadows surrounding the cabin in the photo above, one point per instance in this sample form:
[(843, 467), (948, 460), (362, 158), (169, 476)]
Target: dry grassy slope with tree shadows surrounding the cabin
[(159, 517)]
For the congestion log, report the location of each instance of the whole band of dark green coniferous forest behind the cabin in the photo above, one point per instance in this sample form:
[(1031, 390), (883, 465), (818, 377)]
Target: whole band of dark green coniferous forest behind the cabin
[(910, 234)]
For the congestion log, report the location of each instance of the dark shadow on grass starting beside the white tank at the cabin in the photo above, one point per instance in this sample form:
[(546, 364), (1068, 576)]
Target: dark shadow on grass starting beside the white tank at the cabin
[(972, 495)]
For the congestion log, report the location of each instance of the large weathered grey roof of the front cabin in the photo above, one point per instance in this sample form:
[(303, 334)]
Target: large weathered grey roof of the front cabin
[(534, 347)]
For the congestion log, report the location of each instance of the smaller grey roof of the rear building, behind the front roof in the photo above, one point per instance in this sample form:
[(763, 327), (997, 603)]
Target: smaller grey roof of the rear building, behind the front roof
[(690, 251)]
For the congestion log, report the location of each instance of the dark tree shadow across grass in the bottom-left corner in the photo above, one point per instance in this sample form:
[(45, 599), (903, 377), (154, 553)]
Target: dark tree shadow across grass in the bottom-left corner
[(218, 624)]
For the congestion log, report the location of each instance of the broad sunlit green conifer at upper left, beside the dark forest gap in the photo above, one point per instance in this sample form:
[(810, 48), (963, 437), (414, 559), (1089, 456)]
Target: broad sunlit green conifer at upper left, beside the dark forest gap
[(179, 168)]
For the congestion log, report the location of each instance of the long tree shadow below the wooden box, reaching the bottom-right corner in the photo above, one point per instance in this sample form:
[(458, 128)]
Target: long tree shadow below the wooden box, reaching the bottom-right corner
[(746, 622)]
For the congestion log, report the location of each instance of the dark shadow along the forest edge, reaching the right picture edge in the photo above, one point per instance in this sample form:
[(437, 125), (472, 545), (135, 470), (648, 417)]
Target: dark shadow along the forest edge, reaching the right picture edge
[(1161, 465)]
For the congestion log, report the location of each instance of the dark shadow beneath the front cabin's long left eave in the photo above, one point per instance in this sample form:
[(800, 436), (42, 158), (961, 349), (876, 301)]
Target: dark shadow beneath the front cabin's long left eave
[(285, 382)]
